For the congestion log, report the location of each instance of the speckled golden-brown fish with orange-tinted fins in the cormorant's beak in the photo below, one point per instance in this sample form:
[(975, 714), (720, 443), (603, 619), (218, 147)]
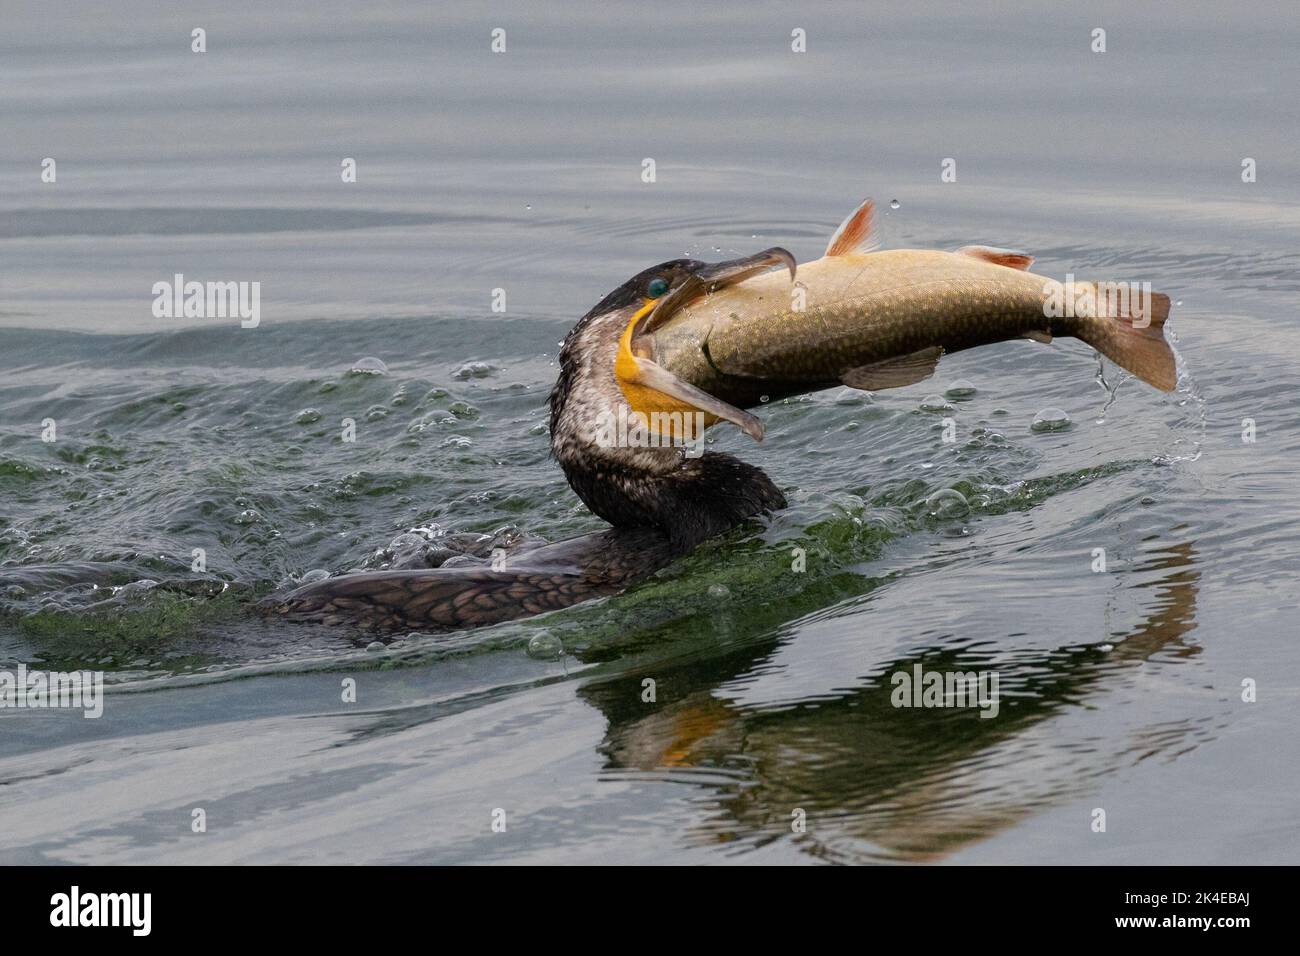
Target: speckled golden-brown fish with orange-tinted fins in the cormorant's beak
[(872, 319)]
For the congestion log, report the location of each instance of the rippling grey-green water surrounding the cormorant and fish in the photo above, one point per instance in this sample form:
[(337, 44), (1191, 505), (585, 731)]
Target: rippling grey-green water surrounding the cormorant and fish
[(1120, 690)]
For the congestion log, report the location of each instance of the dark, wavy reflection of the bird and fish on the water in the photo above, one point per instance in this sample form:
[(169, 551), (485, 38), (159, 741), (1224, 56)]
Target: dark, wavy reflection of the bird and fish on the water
[(876, 780)]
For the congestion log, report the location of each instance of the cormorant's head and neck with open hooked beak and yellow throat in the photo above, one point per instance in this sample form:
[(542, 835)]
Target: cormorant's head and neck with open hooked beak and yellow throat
[(630, 435)]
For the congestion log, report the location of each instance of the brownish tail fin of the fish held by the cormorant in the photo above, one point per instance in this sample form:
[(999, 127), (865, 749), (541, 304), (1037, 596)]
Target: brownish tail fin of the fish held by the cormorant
[(1130, 331)]
